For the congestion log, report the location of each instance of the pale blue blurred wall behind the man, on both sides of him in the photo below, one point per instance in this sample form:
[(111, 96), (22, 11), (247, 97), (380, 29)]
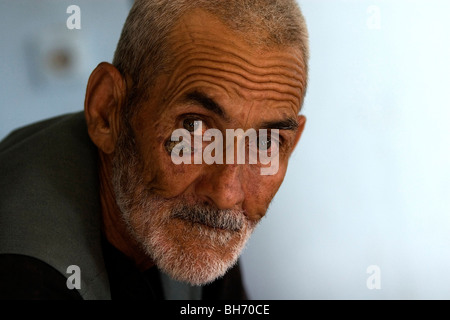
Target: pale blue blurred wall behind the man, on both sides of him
[(370, 181)]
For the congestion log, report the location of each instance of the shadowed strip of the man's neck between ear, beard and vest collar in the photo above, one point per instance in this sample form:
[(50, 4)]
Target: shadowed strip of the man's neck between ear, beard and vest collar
[(114, 227)]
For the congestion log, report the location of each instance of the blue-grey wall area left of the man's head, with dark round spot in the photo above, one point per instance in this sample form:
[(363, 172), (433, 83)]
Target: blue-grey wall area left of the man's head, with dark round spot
[(28, 31)]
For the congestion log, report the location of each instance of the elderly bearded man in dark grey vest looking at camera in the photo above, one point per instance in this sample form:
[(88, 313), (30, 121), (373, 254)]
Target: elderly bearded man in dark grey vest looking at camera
[(93, 204)]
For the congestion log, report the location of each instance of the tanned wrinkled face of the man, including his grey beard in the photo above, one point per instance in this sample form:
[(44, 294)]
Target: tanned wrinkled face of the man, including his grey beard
[(194, 219)]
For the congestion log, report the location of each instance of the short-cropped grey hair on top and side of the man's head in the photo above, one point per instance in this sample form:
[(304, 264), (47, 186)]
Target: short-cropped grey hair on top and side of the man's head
[(143, 52)]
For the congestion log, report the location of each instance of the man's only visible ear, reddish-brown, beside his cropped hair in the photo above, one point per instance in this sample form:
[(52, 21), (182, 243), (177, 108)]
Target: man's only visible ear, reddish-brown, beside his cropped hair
[(105, 95)]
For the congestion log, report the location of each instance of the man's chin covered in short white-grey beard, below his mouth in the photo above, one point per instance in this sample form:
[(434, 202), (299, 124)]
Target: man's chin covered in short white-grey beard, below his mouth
[(192, 252)]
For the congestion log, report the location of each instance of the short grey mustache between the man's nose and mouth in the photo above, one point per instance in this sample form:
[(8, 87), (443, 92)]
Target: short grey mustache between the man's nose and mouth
[(232, 220)]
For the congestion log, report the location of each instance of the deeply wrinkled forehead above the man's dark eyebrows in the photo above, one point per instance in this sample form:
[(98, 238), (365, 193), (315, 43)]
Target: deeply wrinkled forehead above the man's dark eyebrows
[(204, 50)]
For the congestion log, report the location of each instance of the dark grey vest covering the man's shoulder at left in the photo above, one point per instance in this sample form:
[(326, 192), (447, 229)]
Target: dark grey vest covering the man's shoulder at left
[(49, 202)]
